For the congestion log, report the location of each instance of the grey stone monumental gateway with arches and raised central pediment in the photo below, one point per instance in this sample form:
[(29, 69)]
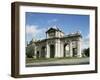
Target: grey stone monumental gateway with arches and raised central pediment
[(58, 45)]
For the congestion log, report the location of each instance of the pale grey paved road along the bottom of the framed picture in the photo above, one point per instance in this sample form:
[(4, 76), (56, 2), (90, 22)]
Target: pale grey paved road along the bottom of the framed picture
[(60, 62)]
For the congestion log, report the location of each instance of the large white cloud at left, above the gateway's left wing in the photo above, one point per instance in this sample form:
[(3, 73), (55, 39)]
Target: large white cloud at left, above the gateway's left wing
[(35, 32)]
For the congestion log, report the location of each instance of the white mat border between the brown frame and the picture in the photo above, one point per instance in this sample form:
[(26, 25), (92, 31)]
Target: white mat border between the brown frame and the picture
[(53, 69)]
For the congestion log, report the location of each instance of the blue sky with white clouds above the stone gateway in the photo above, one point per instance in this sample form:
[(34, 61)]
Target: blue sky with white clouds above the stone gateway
[(38, 23)]
